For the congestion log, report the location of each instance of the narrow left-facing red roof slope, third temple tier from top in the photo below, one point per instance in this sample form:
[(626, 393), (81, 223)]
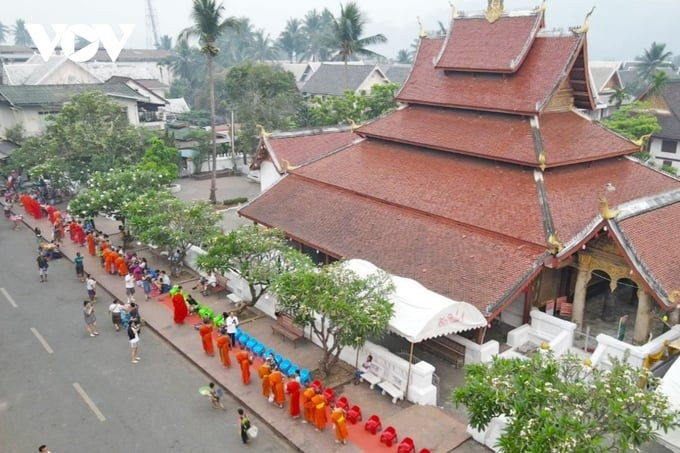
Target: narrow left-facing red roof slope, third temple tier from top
[(496, 136)]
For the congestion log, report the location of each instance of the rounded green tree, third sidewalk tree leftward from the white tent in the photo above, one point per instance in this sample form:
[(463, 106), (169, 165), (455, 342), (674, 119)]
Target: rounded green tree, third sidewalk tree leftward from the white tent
[(161, 219)]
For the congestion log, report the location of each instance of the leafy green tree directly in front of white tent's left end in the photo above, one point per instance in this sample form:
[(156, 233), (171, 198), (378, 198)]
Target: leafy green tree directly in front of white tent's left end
[(350, 309)]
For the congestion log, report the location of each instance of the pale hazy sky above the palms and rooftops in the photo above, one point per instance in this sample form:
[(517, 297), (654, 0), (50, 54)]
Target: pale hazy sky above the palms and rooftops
[(620, 29)]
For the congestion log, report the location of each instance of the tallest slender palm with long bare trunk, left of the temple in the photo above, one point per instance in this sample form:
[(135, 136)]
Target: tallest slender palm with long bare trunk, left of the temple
[(208, 26)]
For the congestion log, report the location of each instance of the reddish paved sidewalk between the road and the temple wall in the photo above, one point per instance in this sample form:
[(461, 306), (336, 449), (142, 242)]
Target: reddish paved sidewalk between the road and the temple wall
[(429, 427)]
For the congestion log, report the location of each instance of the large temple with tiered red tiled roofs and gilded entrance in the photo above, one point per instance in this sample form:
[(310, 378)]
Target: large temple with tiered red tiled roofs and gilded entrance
[(493, 186)]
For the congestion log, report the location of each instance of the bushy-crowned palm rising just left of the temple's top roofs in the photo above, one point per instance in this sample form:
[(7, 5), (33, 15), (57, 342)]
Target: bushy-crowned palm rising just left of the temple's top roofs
[(347, 37)]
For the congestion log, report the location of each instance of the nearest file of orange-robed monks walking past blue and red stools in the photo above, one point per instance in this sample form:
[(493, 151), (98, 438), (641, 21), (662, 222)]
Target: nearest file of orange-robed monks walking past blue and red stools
[(274, 388)]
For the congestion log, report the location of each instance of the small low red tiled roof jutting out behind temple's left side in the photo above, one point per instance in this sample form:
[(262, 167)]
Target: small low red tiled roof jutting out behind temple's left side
[(301, 149)]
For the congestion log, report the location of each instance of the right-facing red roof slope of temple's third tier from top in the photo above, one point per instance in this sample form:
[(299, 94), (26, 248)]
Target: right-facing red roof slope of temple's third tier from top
[(570, 138)]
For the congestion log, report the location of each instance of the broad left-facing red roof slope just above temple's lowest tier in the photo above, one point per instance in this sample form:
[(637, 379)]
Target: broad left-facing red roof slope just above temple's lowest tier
[(499, 198)]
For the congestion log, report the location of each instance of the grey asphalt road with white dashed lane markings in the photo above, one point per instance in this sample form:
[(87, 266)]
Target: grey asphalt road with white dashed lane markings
[(82, 394)]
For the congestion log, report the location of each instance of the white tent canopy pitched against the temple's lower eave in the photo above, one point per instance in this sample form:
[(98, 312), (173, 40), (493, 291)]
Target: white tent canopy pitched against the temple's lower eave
[(420, 314)]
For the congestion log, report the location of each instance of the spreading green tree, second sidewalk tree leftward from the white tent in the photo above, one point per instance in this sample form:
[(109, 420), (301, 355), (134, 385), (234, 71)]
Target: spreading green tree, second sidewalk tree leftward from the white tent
[(254, 253)]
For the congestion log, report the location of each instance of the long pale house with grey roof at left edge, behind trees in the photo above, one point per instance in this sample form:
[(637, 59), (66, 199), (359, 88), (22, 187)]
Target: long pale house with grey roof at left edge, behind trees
[(31, 105)]
